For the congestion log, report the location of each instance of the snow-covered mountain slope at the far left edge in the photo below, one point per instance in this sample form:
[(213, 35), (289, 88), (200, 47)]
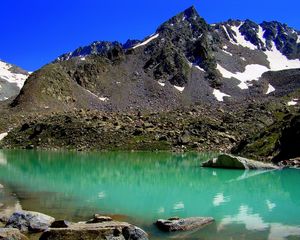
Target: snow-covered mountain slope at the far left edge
[(12, 79)]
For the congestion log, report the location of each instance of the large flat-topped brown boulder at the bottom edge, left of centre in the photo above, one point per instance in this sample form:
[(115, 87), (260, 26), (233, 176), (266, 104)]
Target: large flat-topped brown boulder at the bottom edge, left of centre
[(103, 230)]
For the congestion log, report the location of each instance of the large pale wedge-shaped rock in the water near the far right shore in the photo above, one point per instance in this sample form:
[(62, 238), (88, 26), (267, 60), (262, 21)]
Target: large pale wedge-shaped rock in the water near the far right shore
[(234, 162)]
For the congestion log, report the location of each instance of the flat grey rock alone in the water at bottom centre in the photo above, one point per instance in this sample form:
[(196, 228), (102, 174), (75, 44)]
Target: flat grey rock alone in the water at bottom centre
[(183, 224)]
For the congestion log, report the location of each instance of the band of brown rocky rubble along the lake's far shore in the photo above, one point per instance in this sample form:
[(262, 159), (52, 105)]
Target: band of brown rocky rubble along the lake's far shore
[(192, 129)]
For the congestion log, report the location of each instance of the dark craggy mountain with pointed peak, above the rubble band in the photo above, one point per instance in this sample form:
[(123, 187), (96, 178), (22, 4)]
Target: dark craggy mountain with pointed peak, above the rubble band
[(185, 62)]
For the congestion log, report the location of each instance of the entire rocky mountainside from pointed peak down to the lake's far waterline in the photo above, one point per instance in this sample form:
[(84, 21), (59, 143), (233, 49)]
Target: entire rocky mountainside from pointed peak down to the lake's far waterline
[(188, 86)]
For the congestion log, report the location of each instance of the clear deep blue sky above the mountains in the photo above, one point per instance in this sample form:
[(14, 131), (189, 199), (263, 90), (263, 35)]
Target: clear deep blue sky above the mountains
[(34, 32)]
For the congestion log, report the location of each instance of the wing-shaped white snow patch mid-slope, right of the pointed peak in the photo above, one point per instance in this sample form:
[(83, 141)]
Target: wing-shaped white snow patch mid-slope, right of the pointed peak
[(252, 72)]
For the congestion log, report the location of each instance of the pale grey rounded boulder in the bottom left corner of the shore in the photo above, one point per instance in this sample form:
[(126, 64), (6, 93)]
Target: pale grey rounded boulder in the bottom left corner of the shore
[(27, 221)]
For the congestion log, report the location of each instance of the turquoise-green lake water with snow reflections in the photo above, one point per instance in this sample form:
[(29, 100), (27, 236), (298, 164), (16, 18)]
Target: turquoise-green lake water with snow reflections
[(142, 187)]
